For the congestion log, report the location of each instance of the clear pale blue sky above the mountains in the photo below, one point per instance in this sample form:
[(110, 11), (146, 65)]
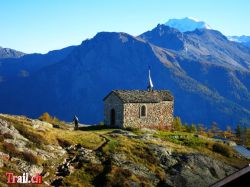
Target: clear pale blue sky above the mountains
[(43, 25)]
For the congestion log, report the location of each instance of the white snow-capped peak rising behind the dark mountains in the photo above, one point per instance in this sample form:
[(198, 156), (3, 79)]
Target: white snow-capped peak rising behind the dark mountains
[(187, 24)]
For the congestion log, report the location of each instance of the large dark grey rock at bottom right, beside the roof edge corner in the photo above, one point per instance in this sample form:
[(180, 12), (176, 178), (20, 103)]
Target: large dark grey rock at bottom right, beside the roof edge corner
[(196, 170)]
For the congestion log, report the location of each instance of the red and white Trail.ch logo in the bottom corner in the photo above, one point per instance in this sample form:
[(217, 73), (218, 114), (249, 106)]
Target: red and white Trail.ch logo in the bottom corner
[(23, 179)]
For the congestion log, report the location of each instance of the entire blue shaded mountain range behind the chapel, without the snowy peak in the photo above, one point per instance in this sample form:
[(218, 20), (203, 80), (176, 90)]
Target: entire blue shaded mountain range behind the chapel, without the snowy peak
[(208, 75)]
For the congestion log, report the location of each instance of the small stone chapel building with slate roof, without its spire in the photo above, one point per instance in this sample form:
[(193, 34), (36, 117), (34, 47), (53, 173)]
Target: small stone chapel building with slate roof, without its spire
[(125, 109)]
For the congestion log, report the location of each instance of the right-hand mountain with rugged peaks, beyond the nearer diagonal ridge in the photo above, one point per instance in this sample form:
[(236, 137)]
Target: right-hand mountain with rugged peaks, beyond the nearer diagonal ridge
[(208, 57)]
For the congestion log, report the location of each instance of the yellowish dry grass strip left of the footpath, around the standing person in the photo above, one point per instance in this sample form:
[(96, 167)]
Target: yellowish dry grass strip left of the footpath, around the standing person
[(88, 139)]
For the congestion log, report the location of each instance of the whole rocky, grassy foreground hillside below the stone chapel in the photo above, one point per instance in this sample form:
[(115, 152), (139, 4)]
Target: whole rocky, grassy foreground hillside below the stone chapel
[(97, 156)]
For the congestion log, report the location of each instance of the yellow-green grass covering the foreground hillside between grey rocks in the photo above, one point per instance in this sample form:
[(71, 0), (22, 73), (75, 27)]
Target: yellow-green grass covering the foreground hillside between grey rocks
[(106, 143)]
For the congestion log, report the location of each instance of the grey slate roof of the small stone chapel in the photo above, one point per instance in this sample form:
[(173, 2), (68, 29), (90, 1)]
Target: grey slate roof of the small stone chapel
[(142, 96)]
